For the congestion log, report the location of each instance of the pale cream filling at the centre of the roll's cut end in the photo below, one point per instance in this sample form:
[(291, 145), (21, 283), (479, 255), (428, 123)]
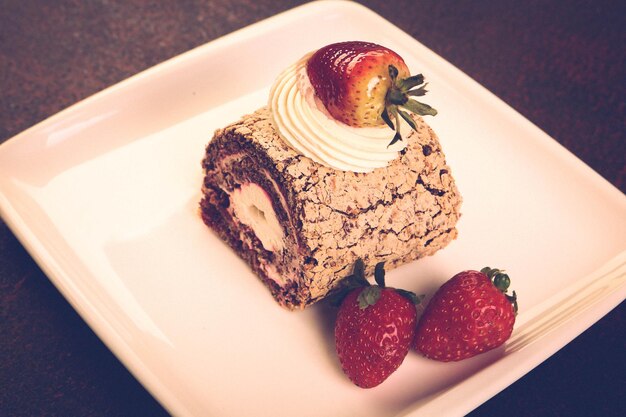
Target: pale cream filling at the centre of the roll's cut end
[(253, 207)]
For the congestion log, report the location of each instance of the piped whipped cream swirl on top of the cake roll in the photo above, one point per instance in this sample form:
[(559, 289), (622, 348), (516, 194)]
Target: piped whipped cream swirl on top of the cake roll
[(305, 125)]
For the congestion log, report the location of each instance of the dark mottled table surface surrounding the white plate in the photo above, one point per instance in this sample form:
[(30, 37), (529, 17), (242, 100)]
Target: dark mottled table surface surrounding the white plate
[(559, 63)]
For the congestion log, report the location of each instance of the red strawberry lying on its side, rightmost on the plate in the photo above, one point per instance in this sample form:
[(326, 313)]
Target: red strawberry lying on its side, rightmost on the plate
[(468, 315)]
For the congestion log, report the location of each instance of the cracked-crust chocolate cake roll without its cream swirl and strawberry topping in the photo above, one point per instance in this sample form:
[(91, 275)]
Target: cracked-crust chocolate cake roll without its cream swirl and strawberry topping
[(301, 225)]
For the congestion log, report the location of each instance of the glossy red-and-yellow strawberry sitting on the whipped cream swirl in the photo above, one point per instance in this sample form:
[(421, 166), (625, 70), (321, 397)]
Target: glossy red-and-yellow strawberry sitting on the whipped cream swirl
[(363, 84)]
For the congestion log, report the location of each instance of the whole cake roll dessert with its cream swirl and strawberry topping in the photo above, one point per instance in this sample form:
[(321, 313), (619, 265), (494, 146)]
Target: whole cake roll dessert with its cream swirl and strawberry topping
[(339, 166)]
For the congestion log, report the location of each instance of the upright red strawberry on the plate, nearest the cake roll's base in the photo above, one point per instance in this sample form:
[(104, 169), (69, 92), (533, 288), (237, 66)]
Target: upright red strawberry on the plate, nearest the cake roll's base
[(374, 330)]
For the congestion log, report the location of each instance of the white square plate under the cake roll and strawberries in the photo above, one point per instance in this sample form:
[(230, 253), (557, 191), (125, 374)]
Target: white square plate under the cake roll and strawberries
[(104, 196)]
